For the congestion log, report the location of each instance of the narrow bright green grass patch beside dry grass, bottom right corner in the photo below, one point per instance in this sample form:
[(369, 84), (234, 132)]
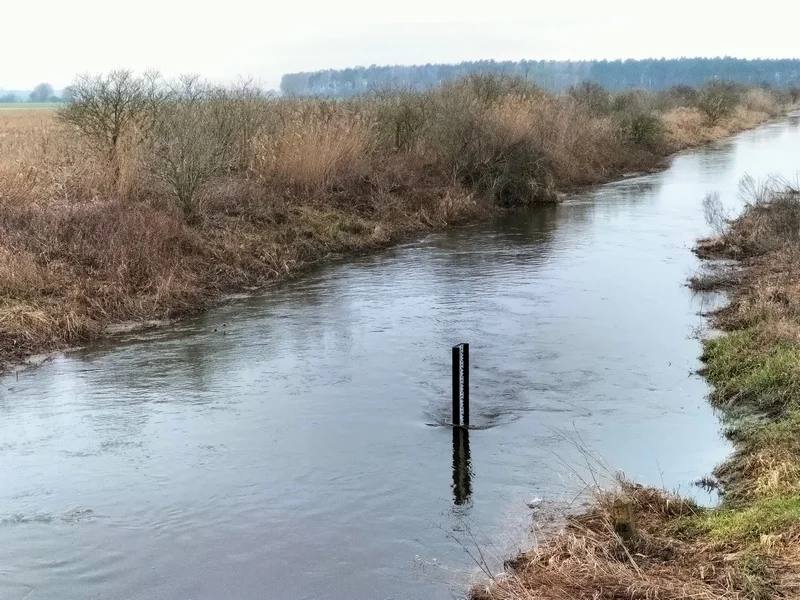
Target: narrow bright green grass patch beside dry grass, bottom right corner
[(745, 524)]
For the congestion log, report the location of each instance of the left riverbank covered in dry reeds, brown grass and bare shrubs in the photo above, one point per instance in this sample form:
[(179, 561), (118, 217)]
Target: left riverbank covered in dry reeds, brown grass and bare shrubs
[(203, 191)]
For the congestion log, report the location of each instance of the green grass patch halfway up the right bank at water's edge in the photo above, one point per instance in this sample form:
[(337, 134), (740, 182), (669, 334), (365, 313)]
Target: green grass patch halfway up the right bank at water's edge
[(744, 366)]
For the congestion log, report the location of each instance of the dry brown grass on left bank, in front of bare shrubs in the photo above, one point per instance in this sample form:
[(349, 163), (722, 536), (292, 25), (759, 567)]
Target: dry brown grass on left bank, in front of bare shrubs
[(78, 252)]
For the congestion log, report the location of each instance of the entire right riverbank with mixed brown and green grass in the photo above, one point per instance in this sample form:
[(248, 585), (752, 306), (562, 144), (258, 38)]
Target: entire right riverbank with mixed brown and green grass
[(749, 547)]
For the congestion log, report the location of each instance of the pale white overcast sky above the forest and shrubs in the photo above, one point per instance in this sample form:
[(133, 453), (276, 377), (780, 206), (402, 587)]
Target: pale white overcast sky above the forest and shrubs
[(52, 40)]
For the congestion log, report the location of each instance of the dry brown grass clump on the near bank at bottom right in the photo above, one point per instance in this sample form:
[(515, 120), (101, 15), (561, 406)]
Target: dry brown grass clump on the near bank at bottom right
[(665, 560)]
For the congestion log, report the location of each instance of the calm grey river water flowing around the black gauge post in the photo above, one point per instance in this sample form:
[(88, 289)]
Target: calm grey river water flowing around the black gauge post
[(284, 445)]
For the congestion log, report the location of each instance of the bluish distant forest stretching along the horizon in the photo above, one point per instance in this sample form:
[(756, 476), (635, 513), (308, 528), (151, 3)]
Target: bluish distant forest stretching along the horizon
[(650, 74)]
